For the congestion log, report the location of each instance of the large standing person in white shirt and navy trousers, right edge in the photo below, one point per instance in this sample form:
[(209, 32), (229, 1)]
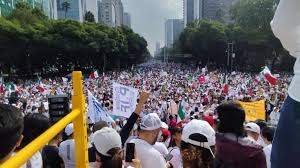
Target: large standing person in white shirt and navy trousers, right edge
[(286, 146)]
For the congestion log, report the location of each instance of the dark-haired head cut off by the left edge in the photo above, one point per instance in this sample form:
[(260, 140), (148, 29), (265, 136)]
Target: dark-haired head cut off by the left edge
[(11, 128)]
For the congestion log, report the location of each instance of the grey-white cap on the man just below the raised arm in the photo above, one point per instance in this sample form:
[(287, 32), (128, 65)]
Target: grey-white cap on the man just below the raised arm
[(150, 122)]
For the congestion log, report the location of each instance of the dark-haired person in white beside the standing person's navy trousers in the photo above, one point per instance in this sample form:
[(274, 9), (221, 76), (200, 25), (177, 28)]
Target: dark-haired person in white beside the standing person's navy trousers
[(267, 135)]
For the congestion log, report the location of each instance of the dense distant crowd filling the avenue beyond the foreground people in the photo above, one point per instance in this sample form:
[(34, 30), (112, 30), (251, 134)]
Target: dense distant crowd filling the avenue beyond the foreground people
[(197, 89)]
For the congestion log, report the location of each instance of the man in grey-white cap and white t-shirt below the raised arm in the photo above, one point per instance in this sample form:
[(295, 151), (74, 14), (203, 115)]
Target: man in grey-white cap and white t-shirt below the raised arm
[(149, 129)]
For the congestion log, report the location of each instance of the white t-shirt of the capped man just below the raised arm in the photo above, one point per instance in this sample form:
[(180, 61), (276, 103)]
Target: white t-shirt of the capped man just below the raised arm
[(148, 155)]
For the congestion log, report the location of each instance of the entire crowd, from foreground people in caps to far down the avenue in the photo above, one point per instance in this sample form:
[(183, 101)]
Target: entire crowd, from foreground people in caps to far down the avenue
[(213, 132)]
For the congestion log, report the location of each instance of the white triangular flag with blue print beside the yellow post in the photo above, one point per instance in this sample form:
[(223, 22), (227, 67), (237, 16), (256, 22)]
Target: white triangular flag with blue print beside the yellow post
[(96, 112)]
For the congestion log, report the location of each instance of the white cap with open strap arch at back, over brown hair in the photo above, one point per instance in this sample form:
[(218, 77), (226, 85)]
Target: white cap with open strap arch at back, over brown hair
[(199, 127)]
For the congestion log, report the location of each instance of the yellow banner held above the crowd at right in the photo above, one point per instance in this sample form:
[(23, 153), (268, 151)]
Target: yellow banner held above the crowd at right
[(254, 110)]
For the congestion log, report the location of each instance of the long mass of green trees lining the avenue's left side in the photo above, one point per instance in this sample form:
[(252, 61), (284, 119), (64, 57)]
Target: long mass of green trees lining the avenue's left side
[(31, 43)]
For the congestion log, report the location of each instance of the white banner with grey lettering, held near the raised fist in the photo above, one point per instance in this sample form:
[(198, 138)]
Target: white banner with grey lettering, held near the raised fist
[(125, 100)]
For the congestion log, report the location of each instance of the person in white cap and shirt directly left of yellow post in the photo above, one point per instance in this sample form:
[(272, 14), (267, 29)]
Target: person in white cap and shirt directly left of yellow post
[(66, 148)]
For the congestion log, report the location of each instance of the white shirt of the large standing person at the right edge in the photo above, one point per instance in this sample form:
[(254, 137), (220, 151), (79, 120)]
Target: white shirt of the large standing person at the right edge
[(285, 26)]
